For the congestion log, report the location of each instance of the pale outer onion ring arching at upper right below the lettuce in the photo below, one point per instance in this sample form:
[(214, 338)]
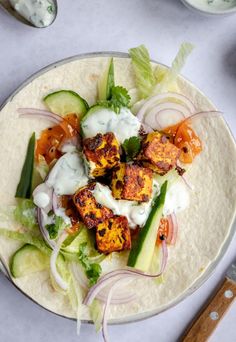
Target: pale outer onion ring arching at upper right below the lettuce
[(154, 100)]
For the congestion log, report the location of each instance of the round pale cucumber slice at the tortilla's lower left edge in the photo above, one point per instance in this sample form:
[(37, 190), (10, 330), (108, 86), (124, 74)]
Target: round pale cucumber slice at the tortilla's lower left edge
[(28, 259)]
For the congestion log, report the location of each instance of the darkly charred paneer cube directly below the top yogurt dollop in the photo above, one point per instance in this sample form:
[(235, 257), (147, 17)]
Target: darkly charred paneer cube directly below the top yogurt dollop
[(102, 153)]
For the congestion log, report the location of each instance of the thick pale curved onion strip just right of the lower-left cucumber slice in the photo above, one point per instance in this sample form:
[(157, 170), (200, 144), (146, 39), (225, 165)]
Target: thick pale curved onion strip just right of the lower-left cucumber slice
[(53, 259)]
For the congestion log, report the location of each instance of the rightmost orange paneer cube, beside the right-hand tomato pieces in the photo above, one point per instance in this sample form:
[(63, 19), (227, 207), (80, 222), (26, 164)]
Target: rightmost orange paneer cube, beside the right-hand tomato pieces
[(158, 153)]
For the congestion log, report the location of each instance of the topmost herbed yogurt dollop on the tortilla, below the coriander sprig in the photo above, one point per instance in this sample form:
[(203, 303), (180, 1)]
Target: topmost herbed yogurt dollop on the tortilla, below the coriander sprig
[(124, 125)]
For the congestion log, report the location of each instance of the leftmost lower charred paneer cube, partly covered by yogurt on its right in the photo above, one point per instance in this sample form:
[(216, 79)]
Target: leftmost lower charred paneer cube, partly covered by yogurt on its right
[(91, 212)]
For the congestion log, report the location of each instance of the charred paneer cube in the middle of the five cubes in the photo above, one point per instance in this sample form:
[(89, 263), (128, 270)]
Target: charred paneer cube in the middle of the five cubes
[(132, 182)]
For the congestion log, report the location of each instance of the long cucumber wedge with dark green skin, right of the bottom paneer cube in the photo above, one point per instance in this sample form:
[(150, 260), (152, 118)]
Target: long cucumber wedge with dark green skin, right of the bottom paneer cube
[(142, 252)]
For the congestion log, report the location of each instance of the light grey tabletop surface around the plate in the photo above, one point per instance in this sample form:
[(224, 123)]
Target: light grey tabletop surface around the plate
[(92, 25)]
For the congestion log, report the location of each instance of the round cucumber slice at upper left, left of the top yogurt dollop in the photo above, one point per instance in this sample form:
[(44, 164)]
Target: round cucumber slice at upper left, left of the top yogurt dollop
[(64, 102)]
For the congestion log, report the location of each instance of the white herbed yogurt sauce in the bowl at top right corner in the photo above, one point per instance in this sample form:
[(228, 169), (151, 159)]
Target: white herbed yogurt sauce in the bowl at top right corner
[(214, 5)]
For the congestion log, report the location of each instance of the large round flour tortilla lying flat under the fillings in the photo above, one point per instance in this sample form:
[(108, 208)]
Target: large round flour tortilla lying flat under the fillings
[(205, 228)]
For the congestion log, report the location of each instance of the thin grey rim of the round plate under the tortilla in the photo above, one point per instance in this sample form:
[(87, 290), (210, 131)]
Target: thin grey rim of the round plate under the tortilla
[(210, 268)]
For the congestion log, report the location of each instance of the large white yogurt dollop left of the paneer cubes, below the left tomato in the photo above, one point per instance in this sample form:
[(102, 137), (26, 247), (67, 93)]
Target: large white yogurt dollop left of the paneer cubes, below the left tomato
[(68, 174)]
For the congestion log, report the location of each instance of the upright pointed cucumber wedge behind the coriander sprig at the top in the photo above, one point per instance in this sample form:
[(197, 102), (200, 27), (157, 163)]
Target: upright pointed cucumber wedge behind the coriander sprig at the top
[(106, 82)]
